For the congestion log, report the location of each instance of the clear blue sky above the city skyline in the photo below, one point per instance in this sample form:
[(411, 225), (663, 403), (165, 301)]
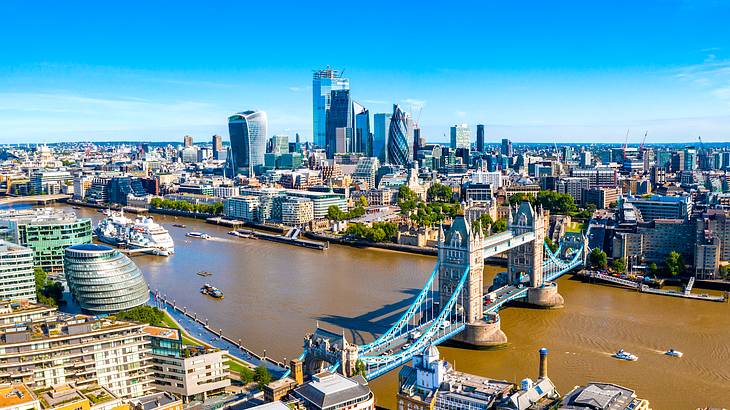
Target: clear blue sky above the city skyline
[(531, 71)]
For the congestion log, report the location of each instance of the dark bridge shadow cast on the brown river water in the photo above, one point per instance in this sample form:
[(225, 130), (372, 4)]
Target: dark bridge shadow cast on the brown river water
[(367, 326)]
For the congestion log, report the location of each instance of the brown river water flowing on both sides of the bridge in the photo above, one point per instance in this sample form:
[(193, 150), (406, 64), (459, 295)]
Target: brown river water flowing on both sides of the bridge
[(275, 293)]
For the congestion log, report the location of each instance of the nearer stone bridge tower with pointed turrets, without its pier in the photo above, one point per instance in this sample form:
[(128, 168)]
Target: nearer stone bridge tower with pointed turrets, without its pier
[(461, 249)]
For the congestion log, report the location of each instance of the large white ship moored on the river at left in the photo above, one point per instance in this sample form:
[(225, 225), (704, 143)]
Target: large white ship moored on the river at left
[(142, 233)]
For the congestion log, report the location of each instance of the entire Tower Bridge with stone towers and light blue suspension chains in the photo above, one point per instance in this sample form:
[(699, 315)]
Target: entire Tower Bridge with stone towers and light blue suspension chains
[(453, 305)]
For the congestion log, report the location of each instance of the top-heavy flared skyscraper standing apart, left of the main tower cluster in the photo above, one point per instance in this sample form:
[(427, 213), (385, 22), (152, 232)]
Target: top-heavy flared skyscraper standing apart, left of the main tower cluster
[(247, 131)]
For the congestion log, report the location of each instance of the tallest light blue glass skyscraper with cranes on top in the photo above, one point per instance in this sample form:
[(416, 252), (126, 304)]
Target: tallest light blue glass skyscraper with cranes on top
[(323, 83)]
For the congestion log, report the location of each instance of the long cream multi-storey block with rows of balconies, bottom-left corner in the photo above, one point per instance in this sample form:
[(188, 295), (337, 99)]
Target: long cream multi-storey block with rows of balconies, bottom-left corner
[(75, 349)]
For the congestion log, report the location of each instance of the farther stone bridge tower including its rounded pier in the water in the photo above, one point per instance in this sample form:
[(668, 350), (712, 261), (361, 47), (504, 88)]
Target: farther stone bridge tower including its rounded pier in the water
[(525, 261)]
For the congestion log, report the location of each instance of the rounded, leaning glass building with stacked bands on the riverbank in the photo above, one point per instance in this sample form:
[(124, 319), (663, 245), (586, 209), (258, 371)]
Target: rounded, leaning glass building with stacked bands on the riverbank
[(103, 280)]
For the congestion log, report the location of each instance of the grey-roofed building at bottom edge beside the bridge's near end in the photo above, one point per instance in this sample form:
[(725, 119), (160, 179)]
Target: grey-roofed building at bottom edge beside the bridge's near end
[(332, 391)]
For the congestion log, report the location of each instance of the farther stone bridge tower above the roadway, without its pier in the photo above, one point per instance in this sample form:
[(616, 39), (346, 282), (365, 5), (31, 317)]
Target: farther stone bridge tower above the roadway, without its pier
[(525, 261)]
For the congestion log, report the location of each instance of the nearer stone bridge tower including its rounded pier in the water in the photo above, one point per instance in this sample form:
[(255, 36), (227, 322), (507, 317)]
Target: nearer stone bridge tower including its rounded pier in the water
[(462, 249)]
